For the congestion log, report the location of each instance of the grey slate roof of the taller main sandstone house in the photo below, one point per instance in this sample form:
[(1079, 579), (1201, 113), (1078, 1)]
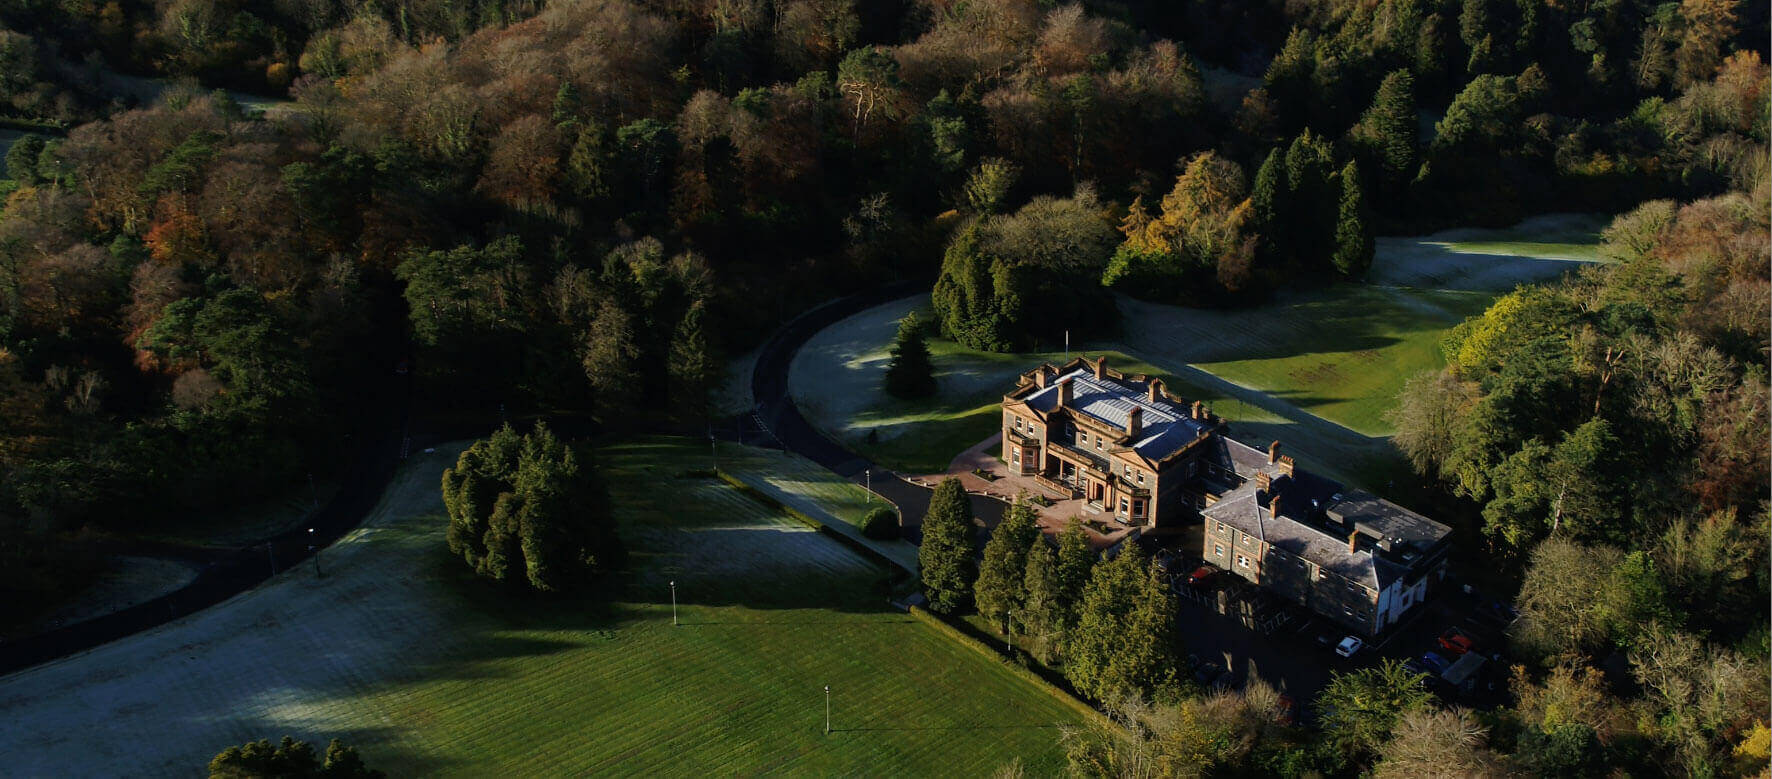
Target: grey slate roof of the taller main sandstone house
[(1165, 428)]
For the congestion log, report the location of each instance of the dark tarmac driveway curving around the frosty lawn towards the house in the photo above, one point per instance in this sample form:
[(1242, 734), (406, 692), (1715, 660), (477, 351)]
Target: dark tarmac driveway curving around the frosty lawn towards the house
[(784, 424)]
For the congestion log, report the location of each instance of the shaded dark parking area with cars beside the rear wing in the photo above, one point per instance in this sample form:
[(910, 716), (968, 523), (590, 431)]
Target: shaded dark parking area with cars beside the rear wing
[(1234, 631)]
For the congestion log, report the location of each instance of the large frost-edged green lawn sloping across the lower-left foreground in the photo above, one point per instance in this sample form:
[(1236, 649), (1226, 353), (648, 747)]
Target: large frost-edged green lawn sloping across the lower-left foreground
[(433, 674)]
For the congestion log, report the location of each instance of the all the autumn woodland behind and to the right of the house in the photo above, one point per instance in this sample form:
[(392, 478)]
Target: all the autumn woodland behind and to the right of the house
[(582, 208)]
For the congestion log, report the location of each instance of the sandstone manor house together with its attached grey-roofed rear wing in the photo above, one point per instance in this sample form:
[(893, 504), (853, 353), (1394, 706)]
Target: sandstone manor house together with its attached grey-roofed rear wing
[(1147, 459)]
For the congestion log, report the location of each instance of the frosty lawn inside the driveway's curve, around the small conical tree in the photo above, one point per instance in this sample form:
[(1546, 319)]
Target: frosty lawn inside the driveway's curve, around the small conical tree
[(837, 382)]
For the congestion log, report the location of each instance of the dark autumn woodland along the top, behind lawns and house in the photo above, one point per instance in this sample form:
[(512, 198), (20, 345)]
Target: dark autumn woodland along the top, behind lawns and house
[(582, 208)]
